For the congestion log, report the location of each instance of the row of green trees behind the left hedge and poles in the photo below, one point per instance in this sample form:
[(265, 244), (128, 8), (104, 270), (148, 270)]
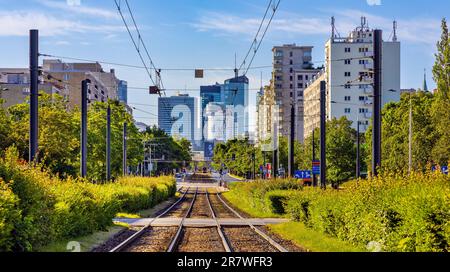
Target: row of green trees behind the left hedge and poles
[(59, 138)]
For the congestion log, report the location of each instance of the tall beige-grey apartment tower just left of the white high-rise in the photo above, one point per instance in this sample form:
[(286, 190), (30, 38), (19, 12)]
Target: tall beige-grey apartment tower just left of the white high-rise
[(292, 69)]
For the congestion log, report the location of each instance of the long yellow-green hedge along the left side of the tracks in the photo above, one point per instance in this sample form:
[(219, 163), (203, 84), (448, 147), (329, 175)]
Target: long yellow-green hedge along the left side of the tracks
[(36, 208)]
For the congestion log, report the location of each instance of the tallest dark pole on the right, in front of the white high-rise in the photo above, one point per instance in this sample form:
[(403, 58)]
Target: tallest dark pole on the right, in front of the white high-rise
[(376, 133)]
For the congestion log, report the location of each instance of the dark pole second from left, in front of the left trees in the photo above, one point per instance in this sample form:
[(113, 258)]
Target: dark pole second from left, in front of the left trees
[(83, 140)]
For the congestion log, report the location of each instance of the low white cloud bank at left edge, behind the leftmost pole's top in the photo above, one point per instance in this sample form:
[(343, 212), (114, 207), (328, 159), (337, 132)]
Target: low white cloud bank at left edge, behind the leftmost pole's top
[(18, 23)]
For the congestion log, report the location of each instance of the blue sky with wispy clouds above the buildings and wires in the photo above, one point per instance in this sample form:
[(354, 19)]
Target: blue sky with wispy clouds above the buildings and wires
[(208, 34)]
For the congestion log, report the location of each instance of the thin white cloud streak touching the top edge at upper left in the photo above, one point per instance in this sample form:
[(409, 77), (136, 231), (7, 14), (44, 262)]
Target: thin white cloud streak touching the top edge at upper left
[(77, 7)]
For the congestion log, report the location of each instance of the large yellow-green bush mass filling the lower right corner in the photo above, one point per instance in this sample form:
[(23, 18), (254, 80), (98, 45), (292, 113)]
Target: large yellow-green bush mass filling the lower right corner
[(399, 213)]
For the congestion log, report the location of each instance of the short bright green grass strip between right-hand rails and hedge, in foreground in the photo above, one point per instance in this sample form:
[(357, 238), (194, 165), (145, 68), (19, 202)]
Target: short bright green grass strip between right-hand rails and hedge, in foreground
[(312, 240)]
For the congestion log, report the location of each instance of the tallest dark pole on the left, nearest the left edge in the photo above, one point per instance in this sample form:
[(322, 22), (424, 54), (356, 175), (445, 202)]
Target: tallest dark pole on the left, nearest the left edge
[(34, 85)]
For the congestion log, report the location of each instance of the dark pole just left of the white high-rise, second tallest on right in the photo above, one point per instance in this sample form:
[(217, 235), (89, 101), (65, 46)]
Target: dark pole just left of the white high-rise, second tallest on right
[(323, 110)]
